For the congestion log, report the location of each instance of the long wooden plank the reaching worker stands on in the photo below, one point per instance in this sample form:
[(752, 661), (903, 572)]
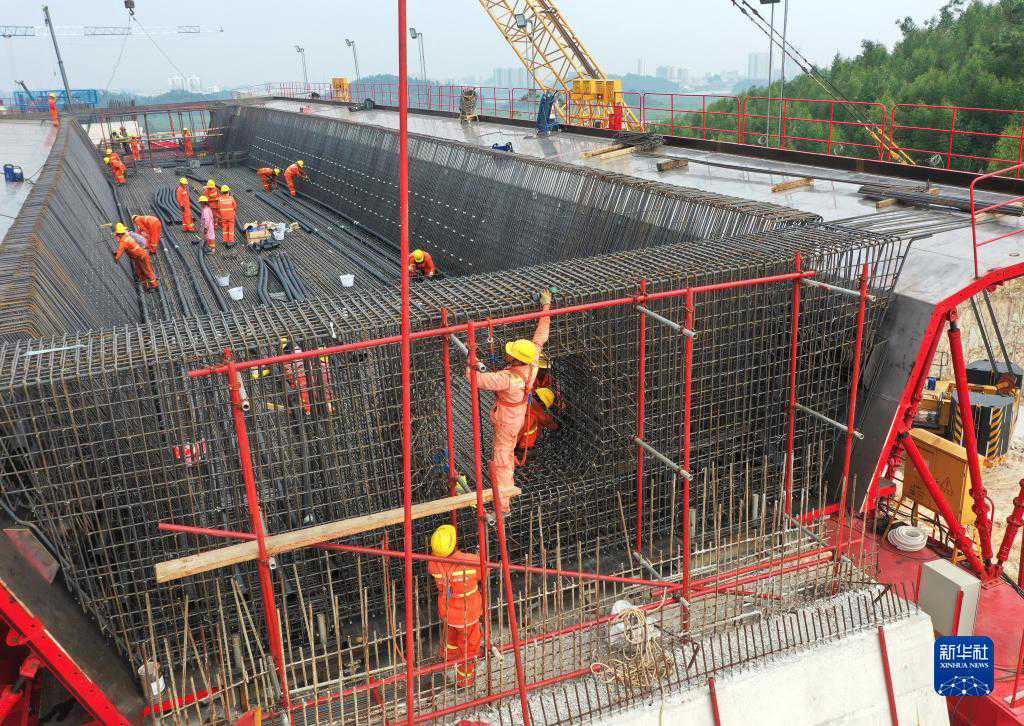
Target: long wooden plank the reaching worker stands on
[(286, 542)]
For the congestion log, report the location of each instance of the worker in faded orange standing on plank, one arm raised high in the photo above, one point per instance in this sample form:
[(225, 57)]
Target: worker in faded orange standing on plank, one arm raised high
[(513, 389)]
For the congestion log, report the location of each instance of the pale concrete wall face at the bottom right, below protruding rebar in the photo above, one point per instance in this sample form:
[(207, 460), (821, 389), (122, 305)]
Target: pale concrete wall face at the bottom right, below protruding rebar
[(840, 682)]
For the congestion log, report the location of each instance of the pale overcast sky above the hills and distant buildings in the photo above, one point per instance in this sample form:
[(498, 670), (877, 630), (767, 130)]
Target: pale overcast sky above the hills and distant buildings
[(259, 40)]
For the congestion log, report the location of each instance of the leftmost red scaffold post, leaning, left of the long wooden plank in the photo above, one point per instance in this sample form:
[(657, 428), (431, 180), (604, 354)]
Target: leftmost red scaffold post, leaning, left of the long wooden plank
[(239, 405)]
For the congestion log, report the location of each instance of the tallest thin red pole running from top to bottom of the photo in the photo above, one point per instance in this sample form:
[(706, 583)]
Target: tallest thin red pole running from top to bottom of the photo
[(406, 347)]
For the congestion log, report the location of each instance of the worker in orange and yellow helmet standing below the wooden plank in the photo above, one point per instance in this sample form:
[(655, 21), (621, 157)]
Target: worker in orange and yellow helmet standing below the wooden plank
[(459, 603)]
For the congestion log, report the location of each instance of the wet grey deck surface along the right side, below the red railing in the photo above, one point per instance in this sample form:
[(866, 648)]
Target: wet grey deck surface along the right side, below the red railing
[(937, 265)]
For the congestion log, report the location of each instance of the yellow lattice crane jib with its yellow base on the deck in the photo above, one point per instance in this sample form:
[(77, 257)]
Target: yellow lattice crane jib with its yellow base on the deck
[(558, 60)]
